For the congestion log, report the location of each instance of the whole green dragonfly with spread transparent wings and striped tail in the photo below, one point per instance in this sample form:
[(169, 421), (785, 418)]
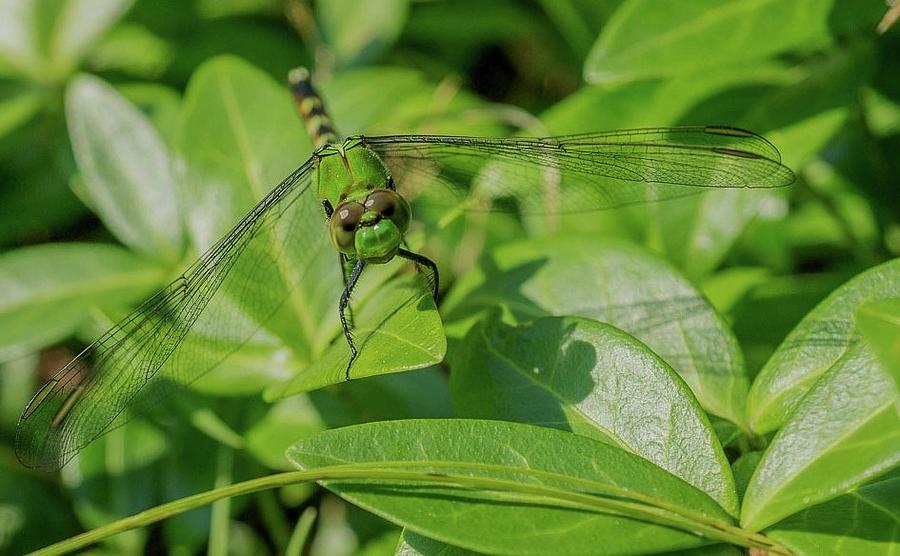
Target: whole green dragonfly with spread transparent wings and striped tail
[(360, 188)]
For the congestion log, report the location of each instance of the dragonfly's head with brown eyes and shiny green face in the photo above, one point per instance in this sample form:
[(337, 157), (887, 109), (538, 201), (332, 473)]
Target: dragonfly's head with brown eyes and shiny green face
[(372, 228)]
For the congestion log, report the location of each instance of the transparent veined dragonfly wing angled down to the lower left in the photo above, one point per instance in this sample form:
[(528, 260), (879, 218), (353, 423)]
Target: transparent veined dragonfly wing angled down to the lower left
[(184, 330)]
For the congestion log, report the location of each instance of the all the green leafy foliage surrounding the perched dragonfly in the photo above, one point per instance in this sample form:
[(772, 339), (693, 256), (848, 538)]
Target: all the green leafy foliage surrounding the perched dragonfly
[(700, 374)]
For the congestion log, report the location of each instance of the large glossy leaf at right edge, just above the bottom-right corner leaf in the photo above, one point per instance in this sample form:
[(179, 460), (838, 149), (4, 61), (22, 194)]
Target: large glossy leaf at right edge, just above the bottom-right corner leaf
[(843, 433)]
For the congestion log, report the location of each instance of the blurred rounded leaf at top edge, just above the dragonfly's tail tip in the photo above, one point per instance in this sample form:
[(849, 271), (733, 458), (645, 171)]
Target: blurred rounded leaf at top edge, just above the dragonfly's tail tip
[(359, 32)]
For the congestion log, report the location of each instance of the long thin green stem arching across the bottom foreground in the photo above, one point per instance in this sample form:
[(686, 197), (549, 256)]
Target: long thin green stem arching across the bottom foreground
[(528, 493)]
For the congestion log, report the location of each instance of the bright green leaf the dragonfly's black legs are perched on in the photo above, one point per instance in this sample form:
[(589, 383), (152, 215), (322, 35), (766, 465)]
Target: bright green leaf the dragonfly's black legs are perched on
[(399, 329)]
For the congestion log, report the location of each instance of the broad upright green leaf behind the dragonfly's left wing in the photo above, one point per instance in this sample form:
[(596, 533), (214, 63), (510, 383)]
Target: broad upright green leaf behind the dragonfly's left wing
[(239, 136)]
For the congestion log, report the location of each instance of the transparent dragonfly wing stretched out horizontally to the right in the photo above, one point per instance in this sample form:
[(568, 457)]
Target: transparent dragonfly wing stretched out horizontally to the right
[(579, 173)]
